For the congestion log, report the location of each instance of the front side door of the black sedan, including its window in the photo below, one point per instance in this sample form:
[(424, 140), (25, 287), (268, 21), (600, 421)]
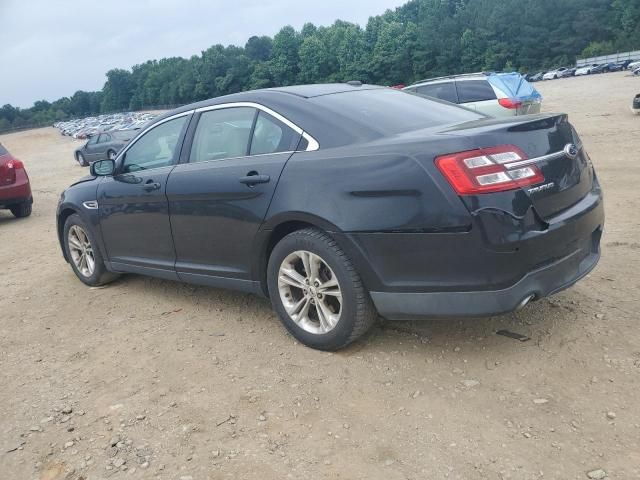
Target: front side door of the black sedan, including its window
[(133, 208)]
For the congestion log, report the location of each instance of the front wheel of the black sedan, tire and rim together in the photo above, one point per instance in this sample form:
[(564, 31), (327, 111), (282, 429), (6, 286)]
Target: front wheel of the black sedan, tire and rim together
[(83, 253)]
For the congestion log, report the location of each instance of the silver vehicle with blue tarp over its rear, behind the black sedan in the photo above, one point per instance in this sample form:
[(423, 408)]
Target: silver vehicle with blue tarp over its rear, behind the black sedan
[(494, 94)]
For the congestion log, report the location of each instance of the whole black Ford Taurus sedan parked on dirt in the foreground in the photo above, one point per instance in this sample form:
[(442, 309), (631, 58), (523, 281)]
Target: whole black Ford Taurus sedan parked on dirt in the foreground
[(340, 202)]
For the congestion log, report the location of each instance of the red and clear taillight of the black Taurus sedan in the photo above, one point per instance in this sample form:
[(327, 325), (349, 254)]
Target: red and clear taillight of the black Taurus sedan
[(488, 170)]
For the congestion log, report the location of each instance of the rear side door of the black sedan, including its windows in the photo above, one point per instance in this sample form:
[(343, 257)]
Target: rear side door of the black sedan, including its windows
[(220, 192)]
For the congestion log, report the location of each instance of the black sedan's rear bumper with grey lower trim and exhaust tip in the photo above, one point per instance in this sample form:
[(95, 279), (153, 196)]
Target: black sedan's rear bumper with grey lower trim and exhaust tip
[(478, 273)]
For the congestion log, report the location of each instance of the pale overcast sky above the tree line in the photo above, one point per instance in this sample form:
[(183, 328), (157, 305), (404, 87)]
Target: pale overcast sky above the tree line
[(52, 48)]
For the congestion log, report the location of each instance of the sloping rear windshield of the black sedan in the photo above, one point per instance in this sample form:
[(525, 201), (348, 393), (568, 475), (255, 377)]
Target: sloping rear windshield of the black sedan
[(392, 111)]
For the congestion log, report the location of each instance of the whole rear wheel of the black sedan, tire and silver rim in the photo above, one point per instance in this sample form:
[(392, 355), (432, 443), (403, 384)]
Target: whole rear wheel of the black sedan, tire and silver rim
[(317, 292)]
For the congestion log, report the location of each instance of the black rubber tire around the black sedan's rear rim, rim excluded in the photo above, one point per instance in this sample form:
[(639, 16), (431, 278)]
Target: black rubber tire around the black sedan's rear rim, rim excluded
[(358, 313)]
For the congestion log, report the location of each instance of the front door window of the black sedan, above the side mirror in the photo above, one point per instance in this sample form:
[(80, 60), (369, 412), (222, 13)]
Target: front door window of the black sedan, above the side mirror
[(156, 148)]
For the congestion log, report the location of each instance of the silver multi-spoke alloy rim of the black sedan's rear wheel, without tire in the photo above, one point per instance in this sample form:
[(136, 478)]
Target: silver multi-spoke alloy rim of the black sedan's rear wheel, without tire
[(310, 292)]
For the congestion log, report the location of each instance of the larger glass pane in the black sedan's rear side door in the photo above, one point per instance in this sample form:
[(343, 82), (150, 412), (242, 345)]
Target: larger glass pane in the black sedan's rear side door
[(222, 133)]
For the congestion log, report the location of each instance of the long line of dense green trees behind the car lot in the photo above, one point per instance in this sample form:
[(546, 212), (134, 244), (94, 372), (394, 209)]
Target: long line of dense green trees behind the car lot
[(420, 39)]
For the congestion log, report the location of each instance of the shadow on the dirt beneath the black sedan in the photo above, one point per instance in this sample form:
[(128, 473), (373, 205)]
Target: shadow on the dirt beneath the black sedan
[(555, 316)]
